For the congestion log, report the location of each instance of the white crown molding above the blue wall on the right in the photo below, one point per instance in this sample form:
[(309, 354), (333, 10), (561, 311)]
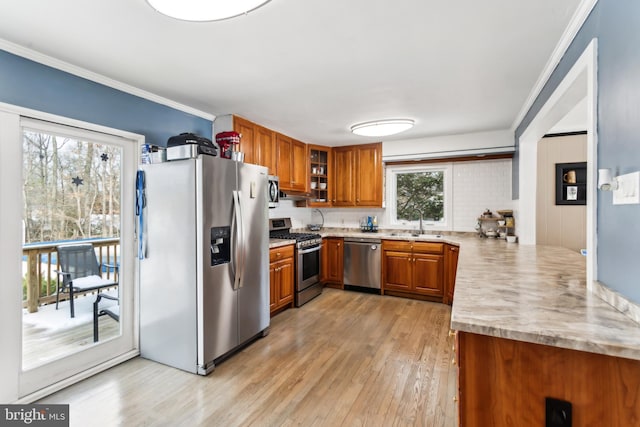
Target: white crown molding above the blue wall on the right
[(578, 19)]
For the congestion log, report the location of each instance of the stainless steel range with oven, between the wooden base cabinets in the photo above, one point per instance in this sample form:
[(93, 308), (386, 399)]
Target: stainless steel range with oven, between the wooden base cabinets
[(307, 283)]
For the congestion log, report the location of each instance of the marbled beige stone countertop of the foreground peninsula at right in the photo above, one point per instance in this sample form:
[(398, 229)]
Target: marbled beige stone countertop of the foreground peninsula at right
[(536, 294)]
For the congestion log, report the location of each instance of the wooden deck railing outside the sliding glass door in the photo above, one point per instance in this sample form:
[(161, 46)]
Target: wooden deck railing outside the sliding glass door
[(42, 262)]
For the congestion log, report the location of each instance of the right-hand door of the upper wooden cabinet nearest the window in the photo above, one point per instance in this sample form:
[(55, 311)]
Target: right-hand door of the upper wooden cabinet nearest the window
[(369, 175)]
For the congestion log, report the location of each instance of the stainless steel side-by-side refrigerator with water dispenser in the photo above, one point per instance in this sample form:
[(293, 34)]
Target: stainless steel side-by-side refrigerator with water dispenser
[(204, 287)]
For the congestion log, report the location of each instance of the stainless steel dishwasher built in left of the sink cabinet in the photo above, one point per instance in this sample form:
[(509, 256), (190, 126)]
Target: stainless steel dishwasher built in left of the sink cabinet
[(362, 258)]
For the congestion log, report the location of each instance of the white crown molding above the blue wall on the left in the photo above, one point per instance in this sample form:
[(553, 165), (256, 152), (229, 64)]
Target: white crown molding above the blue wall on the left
[(98, 78)]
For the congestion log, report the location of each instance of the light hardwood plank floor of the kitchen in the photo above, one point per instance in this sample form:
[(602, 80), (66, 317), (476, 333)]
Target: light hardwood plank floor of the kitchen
[(345, 358)]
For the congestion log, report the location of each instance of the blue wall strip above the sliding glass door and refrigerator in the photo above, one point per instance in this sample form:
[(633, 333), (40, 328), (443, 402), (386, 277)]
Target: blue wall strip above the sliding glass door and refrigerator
[(32, 85)]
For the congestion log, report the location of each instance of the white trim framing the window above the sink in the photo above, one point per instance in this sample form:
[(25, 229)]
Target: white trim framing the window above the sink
[(391, 179)]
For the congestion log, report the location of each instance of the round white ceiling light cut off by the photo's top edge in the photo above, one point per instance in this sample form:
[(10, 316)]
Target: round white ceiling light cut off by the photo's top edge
[(205, 10)]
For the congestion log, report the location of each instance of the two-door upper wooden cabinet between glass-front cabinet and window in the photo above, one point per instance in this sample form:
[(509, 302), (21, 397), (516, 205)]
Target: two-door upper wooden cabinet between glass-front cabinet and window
[(357, 175)]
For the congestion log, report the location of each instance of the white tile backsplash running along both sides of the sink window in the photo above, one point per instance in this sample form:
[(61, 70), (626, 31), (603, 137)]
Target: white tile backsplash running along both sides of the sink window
[(477, 185)]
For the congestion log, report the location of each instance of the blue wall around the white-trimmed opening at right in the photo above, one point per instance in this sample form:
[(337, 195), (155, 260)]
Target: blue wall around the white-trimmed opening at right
[(616, 25)]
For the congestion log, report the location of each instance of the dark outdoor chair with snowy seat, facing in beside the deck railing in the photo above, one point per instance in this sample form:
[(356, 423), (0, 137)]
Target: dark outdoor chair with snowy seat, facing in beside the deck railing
[(80, 272)]
